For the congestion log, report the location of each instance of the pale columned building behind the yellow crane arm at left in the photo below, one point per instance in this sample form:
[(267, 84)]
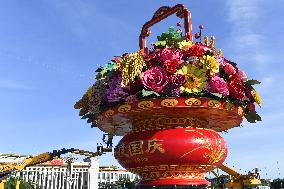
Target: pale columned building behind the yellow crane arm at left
[(59, 174)]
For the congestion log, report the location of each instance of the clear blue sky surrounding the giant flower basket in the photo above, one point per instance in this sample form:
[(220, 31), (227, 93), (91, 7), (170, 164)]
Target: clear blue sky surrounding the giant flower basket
[(49, 50)]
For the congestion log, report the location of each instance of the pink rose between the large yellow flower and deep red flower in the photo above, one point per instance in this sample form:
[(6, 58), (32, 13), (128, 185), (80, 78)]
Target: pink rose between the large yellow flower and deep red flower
[(218, 85)]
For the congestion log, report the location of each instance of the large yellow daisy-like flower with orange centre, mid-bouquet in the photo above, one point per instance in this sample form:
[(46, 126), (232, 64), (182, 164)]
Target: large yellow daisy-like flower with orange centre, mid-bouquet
[(195, 79)]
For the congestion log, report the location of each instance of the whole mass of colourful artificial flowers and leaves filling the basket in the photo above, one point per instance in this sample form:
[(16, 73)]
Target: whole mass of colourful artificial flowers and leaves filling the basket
[(173, 67)]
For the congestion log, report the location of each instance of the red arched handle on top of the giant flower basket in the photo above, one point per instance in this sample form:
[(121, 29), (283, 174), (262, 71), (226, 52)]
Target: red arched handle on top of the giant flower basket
[(162, 13)]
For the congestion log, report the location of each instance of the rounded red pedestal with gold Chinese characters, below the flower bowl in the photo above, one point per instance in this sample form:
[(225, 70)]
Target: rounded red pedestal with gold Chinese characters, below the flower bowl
[(178, 156)]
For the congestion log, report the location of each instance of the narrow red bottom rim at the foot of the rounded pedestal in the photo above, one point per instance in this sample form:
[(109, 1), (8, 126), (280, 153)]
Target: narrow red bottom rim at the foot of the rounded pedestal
[(184, 182)]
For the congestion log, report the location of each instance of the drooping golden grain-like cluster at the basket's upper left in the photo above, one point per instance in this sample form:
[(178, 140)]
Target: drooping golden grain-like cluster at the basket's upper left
[(131, 67)]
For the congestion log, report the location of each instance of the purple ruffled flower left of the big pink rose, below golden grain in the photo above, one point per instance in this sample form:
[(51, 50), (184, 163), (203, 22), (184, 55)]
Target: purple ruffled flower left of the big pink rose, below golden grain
[(115, 92)]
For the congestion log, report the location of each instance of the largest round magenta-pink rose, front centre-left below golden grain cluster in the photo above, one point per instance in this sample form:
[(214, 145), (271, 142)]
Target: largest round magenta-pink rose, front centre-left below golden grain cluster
[(155, 79)]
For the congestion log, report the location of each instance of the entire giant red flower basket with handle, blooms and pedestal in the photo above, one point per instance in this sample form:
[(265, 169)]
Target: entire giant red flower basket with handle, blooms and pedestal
[(169, 102)]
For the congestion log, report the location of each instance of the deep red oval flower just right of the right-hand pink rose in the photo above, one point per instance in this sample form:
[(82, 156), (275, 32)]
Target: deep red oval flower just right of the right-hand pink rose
[(236, 88)]
